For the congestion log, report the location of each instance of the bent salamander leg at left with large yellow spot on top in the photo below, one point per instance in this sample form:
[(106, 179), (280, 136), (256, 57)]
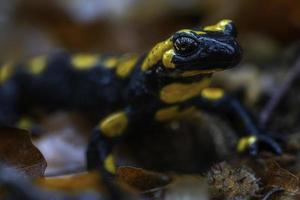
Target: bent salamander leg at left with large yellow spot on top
[(104, 137)]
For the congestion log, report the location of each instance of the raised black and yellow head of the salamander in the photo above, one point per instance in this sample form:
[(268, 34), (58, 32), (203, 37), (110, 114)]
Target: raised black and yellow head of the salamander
[(189, 53)]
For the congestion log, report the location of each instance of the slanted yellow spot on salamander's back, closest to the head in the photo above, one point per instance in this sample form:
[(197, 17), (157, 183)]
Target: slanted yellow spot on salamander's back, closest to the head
[(126, 65)]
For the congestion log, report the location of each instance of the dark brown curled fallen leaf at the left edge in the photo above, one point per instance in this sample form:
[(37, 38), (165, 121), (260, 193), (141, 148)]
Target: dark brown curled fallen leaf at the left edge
[(17, 150)]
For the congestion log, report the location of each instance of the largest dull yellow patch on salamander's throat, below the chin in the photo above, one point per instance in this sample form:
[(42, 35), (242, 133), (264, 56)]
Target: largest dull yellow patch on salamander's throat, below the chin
[(179, 92)]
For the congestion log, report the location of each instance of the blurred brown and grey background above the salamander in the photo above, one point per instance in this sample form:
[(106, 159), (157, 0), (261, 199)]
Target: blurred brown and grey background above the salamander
[(30, 27)]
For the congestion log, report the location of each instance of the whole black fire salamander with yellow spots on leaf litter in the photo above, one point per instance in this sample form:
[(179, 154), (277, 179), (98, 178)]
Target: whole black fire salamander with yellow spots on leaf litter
[(121, 93)]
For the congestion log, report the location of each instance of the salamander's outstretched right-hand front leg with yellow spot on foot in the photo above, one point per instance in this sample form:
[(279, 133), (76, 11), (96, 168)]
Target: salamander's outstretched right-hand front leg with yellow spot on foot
[(215, 100)]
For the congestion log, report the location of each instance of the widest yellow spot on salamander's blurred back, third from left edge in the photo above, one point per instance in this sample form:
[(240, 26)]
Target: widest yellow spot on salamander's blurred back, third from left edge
[(84, 61)]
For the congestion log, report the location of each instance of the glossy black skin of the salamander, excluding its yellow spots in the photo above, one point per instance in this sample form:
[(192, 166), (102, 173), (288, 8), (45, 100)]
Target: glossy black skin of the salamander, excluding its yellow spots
[(98, 92)]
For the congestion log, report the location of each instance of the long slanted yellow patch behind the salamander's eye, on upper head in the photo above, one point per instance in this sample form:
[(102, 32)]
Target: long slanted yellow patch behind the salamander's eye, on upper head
[(156, 54)]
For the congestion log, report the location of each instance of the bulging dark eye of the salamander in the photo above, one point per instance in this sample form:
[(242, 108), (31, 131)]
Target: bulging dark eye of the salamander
[(185, 45)]
